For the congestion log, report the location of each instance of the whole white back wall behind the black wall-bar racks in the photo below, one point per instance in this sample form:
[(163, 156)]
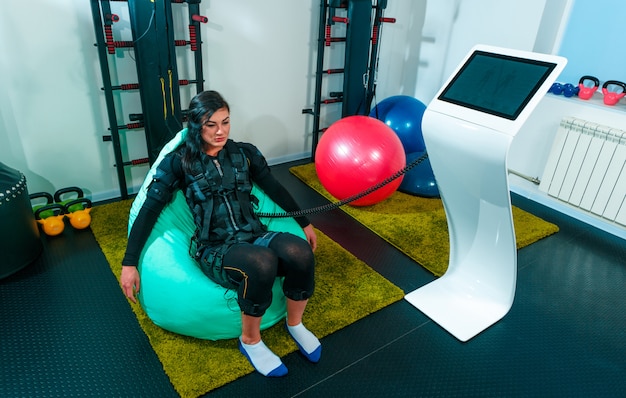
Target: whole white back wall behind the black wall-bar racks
[(260, 55)]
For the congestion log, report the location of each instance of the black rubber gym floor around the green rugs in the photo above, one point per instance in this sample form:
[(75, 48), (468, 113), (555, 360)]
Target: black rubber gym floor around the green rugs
[(66, 330)]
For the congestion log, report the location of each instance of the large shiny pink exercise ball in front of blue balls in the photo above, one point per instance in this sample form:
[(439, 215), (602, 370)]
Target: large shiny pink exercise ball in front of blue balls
[(356, 153)]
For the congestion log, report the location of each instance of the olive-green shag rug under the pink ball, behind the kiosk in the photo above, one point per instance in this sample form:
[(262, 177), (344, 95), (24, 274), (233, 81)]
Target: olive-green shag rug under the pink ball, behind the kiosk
[(417, 226)]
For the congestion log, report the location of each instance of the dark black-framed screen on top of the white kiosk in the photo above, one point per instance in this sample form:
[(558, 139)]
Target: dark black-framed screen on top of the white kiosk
[(497, 84)]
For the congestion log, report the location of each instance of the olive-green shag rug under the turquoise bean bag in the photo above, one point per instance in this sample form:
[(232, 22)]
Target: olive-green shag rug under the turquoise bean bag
[(346, 291)]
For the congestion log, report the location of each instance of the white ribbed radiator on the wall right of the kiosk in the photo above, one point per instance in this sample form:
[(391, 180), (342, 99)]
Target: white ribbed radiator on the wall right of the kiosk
[(587, 168)]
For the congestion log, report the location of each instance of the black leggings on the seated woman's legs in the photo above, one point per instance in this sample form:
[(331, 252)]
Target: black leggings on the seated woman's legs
[(254, 268)]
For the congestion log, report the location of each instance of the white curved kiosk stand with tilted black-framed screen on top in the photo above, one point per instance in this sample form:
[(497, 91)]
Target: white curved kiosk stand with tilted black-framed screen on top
[(468, 129)]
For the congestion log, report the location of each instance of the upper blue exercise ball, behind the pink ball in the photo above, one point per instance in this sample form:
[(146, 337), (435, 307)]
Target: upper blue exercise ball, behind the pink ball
[(404, 115)]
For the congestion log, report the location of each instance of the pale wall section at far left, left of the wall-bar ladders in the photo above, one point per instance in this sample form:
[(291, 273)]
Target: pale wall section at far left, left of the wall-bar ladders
[(51, 114)]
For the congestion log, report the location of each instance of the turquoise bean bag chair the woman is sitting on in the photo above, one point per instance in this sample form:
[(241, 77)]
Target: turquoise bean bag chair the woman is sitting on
[(174, 293)]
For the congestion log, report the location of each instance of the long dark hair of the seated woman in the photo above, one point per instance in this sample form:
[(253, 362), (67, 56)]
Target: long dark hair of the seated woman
[(201, 108)]
